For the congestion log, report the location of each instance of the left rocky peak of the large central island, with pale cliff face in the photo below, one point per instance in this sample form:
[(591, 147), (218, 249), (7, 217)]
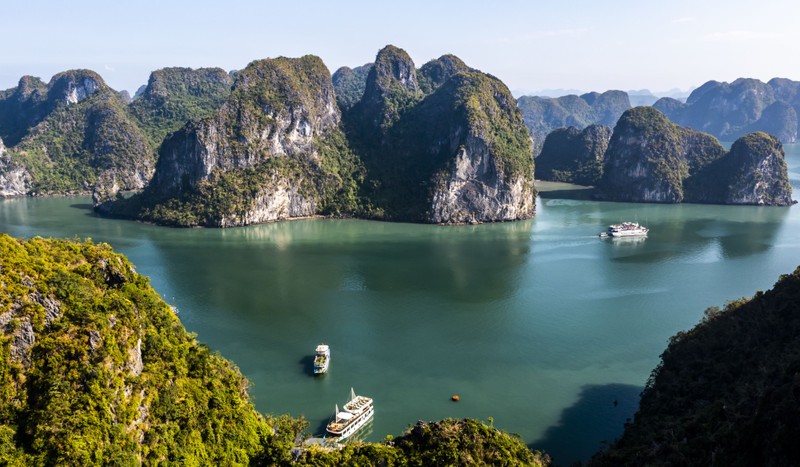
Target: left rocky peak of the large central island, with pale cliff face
[(277, 108)]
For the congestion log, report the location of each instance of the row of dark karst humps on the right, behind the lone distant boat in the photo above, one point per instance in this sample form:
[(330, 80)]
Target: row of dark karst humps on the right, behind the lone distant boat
[(647, 158)]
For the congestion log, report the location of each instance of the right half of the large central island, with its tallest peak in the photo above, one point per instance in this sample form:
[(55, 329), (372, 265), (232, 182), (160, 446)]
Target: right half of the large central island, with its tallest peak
[(464, 143)]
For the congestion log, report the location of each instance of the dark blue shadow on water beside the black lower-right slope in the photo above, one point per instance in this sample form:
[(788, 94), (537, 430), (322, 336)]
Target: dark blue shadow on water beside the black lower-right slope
[(596, 419)]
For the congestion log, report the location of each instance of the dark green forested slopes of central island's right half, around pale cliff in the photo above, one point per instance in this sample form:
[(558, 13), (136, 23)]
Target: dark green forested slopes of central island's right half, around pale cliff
[(410, 124)]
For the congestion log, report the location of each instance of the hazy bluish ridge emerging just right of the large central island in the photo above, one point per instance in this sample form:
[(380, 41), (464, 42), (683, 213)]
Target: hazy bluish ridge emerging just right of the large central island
[(544, 114)]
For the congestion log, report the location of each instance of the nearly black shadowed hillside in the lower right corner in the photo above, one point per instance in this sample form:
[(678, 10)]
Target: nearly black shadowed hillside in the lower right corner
[(725, 392)]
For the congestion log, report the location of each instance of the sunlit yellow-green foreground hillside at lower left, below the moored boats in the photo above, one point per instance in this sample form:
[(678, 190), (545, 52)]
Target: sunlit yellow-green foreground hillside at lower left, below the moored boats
[(96, 369)]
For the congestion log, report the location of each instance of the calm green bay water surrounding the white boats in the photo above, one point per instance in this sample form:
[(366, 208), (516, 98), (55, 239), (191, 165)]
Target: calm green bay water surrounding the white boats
[(539, 324)]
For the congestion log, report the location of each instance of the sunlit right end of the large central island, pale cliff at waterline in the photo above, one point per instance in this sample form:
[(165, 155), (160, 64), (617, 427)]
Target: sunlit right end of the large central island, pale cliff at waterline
[(483, 181)]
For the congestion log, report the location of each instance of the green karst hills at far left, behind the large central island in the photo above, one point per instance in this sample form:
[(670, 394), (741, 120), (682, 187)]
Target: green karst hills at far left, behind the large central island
[(75, 134)]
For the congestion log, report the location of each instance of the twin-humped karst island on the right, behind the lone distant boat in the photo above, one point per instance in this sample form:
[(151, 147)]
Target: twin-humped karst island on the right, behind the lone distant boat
[(650, 159)]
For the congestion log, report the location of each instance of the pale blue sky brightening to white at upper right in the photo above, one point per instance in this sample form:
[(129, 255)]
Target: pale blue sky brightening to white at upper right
[(530, 45)]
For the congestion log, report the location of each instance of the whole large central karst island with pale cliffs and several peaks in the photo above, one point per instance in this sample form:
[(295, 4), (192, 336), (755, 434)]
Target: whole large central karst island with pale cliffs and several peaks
[(442, 144)]
